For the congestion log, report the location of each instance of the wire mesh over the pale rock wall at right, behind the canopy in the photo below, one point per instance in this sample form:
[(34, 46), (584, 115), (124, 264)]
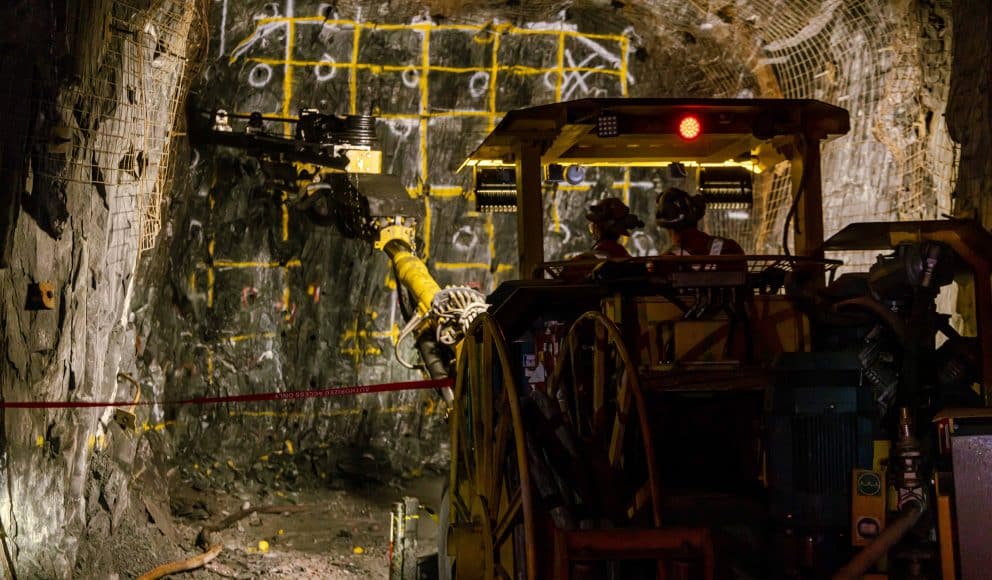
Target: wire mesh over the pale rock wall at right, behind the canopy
[(889, 66)]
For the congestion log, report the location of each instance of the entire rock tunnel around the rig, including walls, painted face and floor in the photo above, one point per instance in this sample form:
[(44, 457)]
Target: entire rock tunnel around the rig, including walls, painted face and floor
[(178, 272)]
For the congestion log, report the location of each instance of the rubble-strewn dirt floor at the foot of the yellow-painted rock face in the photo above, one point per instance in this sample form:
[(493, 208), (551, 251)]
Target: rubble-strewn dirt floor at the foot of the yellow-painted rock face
[(322, 533)]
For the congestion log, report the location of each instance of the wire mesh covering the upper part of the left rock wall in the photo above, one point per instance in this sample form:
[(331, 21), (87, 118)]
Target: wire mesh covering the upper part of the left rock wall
[(114, 133)]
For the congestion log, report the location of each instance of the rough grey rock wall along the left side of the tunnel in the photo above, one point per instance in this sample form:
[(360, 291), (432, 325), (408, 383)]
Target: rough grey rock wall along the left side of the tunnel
[(84, 147)]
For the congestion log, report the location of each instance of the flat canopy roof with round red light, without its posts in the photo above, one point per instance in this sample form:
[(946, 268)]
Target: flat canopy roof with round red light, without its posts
[(648, 129)]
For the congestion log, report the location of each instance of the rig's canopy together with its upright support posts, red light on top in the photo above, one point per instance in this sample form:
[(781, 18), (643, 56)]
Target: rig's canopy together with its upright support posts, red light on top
[(647, 134)]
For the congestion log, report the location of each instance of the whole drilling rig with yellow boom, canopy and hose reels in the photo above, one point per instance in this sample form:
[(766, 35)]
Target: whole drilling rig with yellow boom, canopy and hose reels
[(748, 417)]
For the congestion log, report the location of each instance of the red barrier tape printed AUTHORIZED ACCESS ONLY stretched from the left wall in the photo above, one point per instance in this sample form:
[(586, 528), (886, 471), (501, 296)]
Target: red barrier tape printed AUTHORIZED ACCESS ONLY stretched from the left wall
[(272, 396)]
